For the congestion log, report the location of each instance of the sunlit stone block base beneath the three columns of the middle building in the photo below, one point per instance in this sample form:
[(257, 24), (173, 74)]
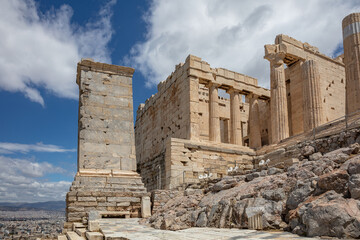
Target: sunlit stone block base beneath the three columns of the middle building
[(186, 160)]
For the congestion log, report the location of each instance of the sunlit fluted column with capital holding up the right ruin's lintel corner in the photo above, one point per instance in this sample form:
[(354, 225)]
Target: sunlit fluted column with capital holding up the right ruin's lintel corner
[(278, 101)]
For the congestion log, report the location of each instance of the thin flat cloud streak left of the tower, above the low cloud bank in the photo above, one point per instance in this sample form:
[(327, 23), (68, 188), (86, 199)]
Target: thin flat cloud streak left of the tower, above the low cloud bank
[(9, 148)]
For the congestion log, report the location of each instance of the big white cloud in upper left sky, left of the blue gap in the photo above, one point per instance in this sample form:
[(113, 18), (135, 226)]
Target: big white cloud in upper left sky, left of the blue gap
[(40, 51)]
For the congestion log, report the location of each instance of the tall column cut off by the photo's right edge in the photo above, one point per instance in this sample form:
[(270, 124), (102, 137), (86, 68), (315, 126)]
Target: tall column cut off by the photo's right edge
[(351, 41)]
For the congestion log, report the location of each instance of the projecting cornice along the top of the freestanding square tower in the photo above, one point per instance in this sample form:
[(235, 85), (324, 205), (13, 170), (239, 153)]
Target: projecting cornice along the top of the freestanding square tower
[(90, 65)]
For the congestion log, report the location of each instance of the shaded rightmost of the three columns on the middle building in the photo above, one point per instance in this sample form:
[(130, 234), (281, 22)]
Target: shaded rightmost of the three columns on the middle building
[(254, 122)]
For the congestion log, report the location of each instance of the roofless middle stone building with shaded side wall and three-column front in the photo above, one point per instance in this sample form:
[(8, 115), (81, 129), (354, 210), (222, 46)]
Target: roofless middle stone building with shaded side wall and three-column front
[(181, 110)]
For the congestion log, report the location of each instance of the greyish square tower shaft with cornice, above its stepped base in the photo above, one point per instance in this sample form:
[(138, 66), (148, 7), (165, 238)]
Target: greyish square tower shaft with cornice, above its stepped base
[(106, 136)]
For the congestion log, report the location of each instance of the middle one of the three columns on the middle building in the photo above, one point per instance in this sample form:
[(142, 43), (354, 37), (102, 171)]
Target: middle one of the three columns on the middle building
[(235, 118)]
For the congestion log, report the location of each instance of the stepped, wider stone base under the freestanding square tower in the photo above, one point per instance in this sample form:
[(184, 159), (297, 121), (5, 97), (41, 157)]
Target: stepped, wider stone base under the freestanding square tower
[(105, 190)]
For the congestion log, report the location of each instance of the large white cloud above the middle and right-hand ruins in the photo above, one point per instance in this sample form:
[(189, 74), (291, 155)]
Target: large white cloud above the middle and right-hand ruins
[(232, 33)]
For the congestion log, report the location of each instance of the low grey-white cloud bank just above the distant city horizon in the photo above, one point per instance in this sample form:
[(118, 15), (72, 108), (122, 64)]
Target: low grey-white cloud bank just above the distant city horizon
[(20, 181)]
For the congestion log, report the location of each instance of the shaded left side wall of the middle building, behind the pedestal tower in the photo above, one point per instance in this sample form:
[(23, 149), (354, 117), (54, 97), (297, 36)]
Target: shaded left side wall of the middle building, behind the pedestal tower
[(165, 114)]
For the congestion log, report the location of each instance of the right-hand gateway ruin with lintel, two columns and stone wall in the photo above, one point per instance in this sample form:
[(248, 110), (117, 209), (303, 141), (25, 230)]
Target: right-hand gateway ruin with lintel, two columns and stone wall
[(306, 94)]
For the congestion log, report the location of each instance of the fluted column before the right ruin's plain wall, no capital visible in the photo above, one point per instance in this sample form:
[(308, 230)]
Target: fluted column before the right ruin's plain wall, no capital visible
[(313, 107)]
